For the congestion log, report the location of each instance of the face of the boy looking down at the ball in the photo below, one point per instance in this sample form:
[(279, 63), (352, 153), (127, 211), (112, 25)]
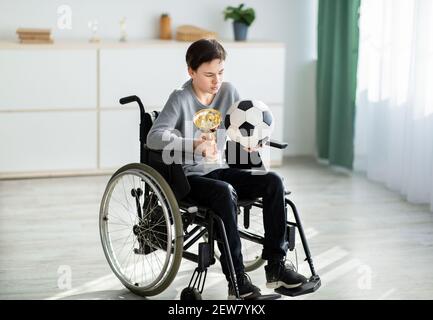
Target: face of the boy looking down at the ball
[(208, 76)]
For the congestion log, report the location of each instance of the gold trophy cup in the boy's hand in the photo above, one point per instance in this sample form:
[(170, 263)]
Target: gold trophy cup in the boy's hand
[(208, 120)]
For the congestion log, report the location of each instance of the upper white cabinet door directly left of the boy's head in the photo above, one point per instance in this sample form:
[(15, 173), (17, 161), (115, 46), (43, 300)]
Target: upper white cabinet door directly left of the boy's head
[(151, 73)]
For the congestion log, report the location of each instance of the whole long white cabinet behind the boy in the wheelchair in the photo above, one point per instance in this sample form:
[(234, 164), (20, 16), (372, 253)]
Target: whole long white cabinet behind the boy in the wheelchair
[(59, 104)]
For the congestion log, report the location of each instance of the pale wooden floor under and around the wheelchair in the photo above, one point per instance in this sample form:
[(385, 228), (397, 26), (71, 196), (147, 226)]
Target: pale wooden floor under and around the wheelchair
[(366, 241)]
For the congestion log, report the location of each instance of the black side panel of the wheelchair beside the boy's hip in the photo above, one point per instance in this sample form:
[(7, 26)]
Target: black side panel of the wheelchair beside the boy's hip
[(172, 173)]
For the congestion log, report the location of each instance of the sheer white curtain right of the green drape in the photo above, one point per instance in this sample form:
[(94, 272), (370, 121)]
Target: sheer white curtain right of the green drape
[(394, 108)]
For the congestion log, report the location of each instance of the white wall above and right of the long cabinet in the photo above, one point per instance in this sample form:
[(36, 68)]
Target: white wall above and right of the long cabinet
[(290, 21)]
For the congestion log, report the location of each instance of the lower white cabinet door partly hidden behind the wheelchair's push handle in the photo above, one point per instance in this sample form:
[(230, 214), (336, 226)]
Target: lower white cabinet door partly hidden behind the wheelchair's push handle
[(119, 140)]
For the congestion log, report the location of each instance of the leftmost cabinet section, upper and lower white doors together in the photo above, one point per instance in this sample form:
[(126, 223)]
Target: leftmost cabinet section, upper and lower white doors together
[(48, 110)]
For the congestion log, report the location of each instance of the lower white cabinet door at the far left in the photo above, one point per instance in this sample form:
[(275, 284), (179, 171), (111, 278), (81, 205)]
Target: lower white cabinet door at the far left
[(47, 141)]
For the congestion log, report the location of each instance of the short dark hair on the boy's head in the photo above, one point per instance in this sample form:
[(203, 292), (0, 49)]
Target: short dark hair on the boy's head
[(202, 51)]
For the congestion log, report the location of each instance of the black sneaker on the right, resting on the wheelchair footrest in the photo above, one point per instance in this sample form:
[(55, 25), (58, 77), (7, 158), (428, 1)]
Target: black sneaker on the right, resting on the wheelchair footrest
[(279, 275)]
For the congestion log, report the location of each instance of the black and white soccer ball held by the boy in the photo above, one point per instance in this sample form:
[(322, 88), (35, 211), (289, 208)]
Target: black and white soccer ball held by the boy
[(249, 122)]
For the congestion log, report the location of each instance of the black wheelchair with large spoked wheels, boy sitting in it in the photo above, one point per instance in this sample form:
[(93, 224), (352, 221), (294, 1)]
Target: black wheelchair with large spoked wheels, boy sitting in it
[(147, 225)]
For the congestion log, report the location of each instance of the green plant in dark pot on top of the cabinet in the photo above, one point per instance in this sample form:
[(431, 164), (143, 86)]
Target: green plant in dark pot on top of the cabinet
[(242, 19)]
